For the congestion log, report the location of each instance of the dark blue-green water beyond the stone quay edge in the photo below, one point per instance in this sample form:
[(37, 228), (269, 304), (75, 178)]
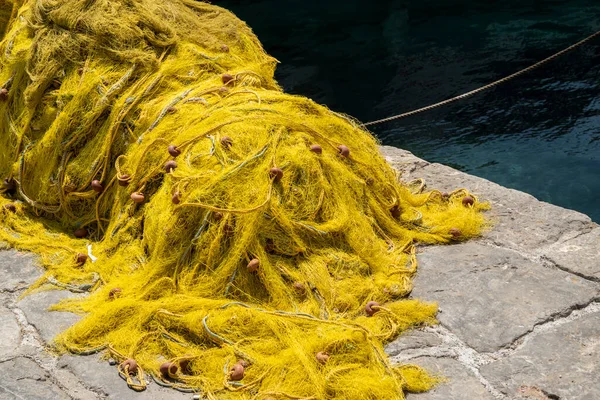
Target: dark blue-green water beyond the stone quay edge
[(539, 133)]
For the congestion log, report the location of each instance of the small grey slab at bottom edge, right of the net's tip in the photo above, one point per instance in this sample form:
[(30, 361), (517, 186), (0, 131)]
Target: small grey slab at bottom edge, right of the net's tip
[(460, 382)]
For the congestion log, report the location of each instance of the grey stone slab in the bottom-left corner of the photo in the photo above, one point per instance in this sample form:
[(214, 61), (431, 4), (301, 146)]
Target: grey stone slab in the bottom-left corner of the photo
[(23, 379)]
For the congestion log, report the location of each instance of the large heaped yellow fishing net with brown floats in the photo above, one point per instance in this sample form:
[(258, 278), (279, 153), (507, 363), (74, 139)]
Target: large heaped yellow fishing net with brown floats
[(243, 243)]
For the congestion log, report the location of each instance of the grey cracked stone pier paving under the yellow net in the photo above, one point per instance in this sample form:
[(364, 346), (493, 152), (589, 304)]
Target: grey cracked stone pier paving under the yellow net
[(519, 310)]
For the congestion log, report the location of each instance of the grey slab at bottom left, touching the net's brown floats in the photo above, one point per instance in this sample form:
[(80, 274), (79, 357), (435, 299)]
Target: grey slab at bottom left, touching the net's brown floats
[(103, 378)]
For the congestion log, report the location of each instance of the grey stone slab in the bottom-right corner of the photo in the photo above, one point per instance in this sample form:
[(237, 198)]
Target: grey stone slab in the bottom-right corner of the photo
[(564, 362)]
